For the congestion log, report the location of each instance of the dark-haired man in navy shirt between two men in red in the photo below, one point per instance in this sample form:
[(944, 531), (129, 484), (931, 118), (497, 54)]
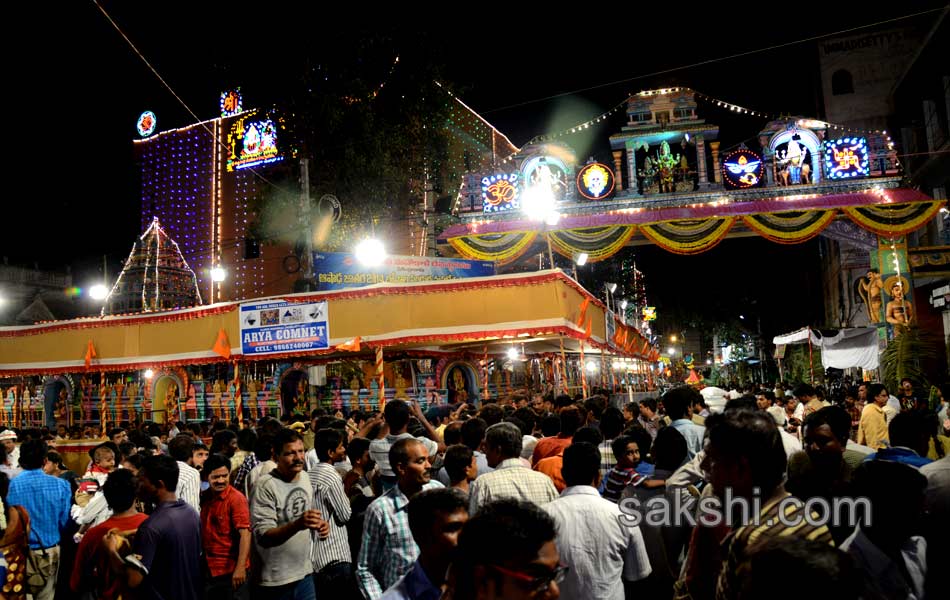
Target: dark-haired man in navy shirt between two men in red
[(168, 542)]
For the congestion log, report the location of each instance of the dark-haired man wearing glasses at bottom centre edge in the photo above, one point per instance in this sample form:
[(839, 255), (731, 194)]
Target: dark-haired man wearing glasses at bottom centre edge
[(507, 551)]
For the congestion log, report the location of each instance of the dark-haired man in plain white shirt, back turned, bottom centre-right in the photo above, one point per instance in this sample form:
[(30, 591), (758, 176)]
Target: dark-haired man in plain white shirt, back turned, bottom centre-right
[(600, 549)]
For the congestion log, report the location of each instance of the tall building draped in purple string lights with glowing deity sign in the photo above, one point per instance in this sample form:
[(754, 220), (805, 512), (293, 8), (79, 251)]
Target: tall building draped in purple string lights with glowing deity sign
[(206, 186)]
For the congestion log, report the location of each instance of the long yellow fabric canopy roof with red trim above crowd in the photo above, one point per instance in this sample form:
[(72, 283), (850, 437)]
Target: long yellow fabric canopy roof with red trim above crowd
[(484, 314)]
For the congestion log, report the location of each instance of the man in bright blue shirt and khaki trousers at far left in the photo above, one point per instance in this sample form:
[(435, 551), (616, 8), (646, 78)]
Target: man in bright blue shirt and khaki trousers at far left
[(47, 500)]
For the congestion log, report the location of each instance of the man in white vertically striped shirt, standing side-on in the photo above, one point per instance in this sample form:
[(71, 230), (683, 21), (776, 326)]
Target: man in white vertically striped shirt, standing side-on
[(331, 555)]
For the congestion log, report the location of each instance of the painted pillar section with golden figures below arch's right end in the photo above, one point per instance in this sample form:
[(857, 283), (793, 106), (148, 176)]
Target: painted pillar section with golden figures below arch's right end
[(890, 288)]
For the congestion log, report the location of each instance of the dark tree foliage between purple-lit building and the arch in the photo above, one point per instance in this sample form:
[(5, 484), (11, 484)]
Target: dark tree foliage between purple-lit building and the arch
[(372, 128)]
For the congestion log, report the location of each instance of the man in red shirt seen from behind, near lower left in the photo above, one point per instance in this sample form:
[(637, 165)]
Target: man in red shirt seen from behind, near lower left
[(91, 572)]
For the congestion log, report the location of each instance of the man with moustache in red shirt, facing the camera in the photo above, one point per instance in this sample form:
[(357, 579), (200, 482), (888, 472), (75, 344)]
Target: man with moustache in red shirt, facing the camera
[(225, 533)]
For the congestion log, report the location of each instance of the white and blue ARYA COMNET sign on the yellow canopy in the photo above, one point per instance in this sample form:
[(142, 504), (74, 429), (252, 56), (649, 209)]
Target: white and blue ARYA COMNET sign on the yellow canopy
[(280, 326)]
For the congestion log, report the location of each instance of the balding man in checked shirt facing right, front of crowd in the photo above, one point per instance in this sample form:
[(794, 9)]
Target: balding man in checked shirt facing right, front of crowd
[(388, 550)]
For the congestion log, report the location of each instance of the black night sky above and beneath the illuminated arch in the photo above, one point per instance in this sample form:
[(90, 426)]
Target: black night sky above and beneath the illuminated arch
[(75, 88)]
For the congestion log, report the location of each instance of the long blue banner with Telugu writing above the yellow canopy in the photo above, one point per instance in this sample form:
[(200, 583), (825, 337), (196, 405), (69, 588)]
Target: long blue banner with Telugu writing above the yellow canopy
[(337, 270)]
